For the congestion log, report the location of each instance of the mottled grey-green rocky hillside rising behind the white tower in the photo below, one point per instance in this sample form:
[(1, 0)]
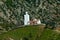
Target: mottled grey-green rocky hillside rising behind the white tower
[(12, 11)]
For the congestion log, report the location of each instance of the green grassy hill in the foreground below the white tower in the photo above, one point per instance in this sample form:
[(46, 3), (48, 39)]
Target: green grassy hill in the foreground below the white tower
[(31, 33)]
